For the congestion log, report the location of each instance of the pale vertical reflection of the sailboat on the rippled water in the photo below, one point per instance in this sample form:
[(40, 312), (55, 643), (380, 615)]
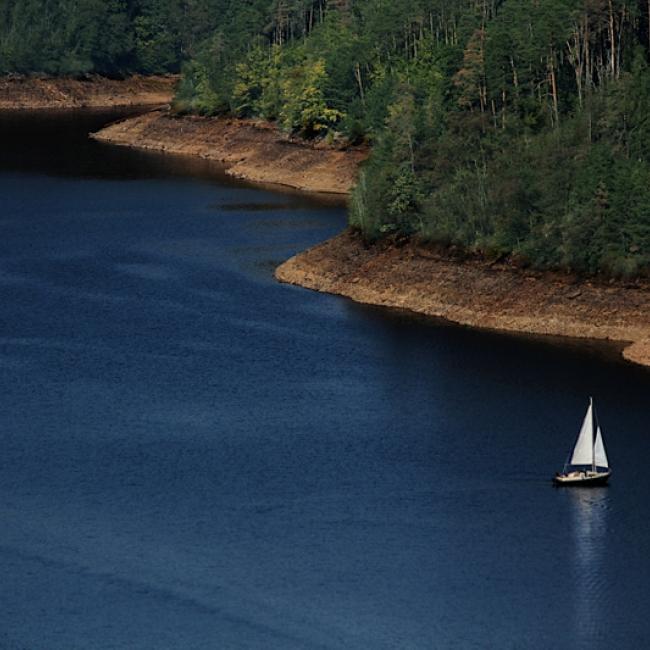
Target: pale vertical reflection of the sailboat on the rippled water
[(590, 510)]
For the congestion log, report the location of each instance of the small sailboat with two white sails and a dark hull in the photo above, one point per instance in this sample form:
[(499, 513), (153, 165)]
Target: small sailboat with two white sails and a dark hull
[(587, 464)]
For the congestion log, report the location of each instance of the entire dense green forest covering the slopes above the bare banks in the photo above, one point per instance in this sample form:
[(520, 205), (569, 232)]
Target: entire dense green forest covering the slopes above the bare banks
[(512, 129)]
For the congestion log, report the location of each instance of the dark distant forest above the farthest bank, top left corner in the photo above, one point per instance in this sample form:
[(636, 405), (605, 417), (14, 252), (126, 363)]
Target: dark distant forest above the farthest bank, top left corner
[(111, 37)]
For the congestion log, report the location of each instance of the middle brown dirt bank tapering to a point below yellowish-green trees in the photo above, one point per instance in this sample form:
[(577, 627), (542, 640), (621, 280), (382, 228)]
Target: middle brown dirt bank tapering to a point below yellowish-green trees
[(249, 149)]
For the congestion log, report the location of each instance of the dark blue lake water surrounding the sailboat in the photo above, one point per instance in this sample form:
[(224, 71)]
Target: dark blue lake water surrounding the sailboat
[(193, 456)]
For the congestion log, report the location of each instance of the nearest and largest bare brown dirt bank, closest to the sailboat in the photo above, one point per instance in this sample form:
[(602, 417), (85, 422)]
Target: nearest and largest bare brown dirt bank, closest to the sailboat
[(476, 293)]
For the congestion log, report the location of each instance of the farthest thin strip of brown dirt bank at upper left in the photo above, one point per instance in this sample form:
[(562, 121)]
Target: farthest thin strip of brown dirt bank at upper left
[(98, 92)]
